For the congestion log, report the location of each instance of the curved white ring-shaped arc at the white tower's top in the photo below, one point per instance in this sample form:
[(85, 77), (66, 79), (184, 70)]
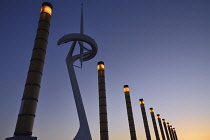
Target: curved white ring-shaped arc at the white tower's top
[(83, 38)]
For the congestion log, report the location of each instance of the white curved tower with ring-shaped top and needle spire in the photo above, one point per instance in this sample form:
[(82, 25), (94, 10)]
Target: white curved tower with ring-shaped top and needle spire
[(84, 55)]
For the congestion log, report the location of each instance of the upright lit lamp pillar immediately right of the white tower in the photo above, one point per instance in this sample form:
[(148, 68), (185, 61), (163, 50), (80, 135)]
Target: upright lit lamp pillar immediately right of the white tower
[(102, 102)]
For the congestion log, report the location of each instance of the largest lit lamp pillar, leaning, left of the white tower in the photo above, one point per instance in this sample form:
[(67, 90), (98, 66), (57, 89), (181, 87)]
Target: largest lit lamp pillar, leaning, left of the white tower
[(27, 111)]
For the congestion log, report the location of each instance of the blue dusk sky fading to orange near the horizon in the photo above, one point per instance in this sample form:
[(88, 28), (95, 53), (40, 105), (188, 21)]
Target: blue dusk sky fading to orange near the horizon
[(161, 49)]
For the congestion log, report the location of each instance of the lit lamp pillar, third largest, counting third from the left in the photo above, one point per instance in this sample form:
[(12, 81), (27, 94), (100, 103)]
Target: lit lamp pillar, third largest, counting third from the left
[(130, 113)]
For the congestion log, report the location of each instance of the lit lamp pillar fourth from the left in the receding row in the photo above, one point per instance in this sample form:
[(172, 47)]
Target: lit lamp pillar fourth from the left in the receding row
[(144, 116)]
